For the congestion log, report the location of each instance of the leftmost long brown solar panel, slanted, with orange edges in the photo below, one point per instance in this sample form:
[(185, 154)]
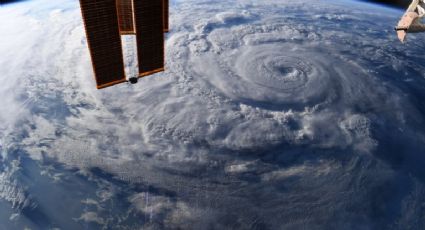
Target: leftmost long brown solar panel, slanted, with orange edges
[(104, 41)]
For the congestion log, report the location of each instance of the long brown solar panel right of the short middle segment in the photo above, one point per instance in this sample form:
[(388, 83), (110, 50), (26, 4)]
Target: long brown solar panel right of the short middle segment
[(150, 35)]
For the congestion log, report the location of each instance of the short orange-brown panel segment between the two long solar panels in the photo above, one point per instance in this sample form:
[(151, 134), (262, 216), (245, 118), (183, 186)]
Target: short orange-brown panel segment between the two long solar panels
[(125, 16)]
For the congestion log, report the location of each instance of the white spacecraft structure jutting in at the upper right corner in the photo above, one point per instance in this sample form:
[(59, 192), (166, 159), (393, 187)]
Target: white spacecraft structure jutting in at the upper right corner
[(411, 20)]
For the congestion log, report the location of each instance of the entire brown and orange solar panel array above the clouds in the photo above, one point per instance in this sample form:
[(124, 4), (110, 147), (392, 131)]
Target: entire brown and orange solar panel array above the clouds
[(106, 20)]
